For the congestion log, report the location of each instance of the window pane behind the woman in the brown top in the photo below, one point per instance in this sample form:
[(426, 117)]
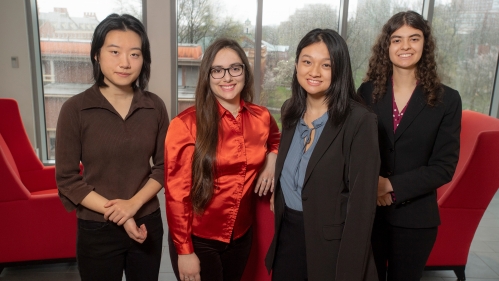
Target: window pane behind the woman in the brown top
[(66, 28)]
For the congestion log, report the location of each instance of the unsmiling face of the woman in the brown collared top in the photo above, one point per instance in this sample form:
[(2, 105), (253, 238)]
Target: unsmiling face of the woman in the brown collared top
[(120, 58)]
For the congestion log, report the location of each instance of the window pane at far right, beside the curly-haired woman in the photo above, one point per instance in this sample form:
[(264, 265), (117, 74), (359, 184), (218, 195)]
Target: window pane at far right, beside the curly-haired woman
[(467, 34)]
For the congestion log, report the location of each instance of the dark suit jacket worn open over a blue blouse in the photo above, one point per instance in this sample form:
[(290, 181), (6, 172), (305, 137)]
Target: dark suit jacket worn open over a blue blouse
[(338, 219)]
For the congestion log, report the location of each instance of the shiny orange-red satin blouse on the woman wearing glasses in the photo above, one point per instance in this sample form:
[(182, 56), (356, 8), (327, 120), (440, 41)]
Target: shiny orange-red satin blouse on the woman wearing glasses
[(241, 153)]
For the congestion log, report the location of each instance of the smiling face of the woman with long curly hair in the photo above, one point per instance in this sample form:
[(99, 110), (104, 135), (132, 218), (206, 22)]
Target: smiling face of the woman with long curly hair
[(406, 47)]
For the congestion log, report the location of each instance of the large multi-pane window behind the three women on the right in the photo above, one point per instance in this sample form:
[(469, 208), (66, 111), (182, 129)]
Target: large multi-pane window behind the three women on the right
[(467, 34)]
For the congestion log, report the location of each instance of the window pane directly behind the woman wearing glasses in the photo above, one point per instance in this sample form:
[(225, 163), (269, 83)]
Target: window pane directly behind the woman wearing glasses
[(199, 23)]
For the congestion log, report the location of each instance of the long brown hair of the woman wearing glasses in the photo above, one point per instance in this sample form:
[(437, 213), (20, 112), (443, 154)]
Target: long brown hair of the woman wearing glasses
[(208, 121)]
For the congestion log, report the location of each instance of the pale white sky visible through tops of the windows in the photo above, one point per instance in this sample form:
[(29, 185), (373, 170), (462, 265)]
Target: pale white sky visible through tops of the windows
[(274, 11)]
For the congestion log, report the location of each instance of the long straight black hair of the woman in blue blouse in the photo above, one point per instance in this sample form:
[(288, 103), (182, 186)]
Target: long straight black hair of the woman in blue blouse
[(342, 88)]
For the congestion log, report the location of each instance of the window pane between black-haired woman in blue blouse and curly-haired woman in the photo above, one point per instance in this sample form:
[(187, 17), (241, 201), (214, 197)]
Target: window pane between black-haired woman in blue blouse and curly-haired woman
[(365, 20)]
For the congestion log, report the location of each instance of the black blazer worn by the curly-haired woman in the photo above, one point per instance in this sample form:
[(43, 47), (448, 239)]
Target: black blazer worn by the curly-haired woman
[(420, 157)]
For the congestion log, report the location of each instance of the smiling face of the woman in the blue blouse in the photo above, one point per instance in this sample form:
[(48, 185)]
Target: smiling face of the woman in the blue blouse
[(313, 69)]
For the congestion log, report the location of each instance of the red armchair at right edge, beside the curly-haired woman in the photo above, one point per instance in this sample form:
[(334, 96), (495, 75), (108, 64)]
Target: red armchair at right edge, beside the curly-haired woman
[(463, 201)]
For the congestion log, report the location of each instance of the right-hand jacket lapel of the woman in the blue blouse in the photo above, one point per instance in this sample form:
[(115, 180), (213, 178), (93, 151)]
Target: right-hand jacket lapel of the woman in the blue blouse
[(328, 135)]
